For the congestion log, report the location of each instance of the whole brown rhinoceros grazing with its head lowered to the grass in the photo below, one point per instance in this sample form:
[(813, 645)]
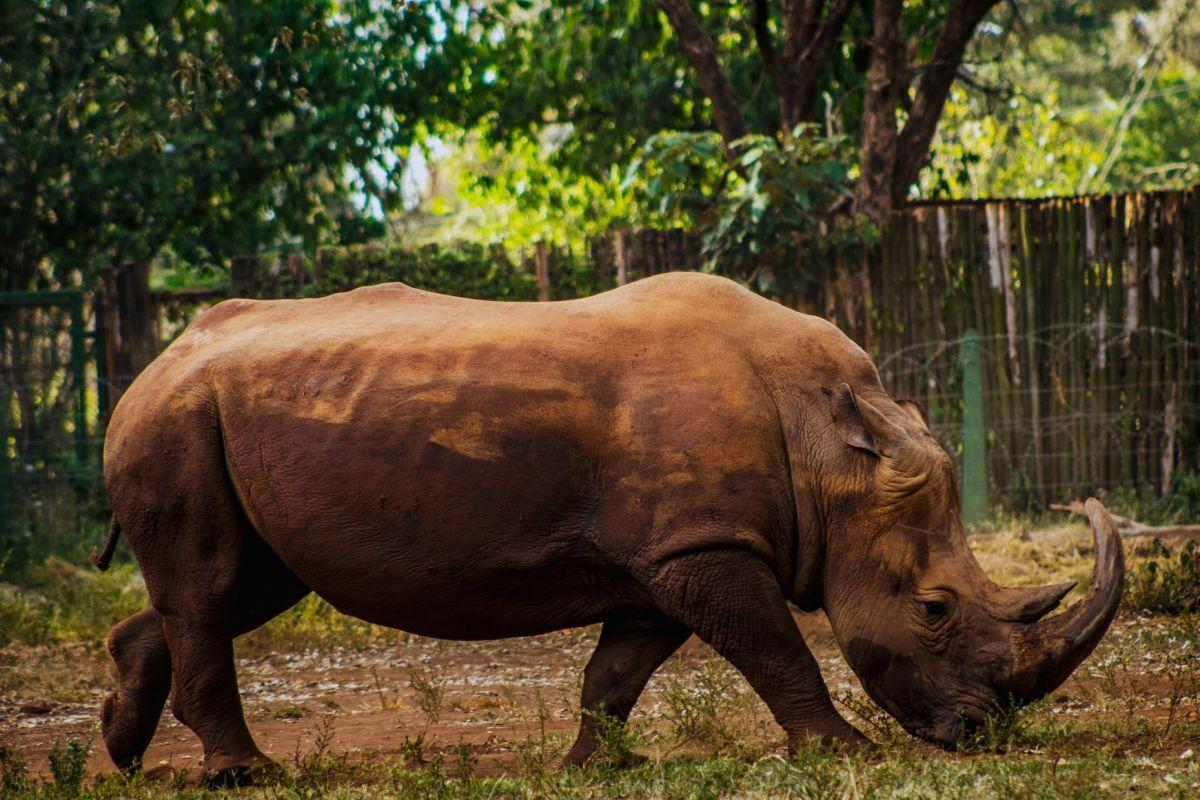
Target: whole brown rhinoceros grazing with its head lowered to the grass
[(675, 458)]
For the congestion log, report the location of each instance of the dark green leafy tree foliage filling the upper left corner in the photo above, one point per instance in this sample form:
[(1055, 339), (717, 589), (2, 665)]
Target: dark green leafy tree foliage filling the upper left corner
[(130, 130)]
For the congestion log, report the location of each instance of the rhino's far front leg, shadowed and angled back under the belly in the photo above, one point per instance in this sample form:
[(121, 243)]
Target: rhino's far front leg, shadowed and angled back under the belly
[(629, 651)]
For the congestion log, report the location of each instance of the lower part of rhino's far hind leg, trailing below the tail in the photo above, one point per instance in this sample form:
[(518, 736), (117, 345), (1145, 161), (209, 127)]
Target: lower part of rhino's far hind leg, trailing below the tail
[(130, 715)]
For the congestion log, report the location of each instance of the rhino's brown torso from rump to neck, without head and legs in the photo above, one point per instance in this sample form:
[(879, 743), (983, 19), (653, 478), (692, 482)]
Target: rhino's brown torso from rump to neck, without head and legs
[(469, 470)]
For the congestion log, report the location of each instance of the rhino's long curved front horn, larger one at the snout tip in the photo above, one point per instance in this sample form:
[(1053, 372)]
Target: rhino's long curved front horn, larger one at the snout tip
[(1047, 652)]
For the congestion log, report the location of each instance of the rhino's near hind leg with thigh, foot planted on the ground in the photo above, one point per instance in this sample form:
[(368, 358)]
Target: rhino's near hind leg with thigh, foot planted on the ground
[(211, 578)]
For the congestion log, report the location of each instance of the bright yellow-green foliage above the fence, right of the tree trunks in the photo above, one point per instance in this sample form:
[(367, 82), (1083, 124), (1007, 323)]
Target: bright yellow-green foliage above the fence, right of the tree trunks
[(1063, 89)]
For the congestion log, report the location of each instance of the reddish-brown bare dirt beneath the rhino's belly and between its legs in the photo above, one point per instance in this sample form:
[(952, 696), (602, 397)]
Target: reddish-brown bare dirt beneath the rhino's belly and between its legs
[(365, 702)]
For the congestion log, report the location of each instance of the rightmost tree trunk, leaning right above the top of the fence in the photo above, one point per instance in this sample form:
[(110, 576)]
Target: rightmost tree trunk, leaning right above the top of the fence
[(962, 21)]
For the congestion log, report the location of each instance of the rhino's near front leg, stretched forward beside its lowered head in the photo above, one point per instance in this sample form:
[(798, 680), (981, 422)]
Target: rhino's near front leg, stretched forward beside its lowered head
[(734, 603)]
